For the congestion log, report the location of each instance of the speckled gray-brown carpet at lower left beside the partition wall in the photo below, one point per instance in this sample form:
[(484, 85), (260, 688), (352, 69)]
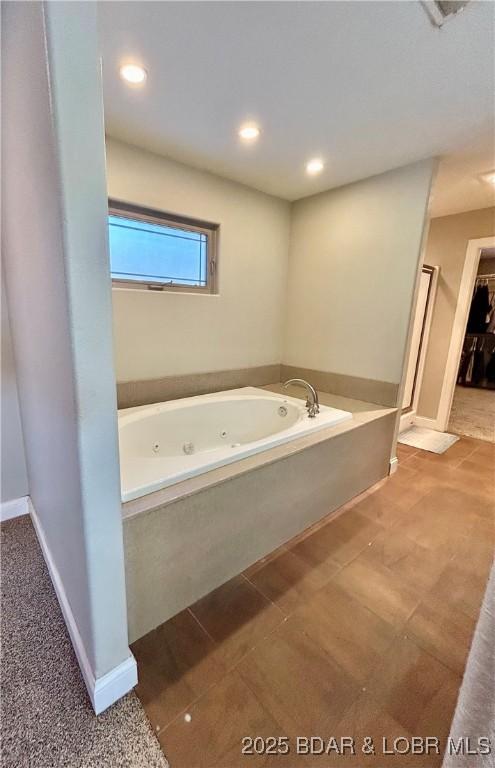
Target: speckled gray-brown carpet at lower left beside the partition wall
[(47, 719)]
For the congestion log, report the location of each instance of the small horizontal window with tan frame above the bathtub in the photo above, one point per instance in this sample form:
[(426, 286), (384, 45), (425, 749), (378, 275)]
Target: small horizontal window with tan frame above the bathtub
[(151, 249)]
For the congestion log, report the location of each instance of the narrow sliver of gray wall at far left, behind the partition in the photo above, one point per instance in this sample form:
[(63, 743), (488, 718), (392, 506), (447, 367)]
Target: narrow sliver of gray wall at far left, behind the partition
[(14, 482)]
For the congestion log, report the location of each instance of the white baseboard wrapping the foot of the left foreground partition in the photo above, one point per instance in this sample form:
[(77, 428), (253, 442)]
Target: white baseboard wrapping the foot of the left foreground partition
[(103, 691)]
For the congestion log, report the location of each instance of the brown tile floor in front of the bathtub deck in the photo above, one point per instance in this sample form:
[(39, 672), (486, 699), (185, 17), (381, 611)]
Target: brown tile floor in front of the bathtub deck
[(358, 627)]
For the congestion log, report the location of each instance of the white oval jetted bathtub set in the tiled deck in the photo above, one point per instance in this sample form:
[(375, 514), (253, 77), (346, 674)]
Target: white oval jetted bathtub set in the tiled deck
[(165, 443)]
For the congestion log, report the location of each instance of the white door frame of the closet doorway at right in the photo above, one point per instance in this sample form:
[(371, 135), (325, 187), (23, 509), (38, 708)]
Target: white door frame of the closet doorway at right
[(469, 272)]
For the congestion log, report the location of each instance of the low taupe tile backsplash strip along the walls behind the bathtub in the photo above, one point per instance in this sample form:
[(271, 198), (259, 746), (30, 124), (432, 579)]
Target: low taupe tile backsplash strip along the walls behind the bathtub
[(147, 391)]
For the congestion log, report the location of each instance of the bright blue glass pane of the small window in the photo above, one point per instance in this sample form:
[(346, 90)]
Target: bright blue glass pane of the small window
[(144, 252)]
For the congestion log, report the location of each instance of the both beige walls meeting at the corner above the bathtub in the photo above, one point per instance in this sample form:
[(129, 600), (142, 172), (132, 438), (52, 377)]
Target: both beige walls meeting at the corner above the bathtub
[(334, 308)]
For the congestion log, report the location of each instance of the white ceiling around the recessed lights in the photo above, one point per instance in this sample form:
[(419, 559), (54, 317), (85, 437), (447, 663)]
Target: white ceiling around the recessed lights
[(367, 86)]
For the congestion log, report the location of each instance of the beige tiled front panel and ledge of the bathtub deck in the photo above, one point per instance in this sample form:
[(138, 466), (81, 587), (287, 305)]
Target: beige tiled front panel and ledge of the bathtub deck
[(185, 540)]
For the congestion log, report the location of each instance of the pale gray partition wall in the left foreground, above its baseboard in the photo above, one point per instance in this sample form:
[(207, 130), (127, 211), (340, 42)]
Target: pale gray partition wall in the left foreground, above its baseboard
[(58, 288)]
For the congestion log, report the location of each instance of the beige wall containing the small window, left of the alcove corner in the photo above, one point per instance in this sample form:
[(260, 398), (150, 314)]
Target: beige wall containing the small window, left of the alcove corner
[(164, 334)]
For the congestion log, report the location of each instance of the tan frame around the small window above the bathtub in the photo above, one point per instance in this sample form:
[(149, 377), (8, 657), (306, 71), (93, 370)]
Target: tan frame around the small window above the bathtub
[(131, 211)]
